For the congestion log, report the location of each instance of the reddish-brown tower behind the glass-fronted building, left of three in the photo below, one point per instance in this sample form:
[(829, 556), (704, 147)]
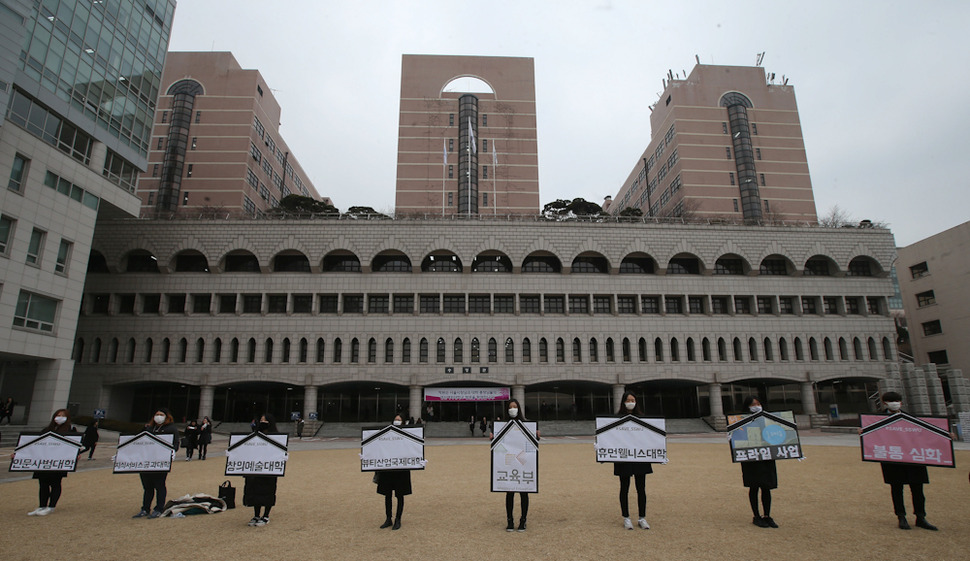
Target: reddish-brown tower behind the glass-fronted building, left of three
[(216, 147)]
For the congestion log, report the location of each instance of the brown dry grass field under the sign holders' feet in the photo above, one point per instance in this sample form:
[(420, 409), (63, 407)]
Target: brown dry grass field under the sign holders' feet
[(830, 506)]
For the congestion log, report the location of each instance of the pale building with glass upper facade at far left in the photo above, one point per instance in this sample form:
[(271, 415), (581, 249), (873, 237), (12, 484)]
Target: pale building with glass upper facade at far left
[(78, 84)]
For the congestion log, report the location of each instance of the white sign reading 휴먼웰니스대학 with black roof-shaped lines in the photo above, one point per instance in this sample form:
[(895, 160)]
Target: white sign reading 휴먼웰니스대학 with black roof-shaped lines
[(631, 439)]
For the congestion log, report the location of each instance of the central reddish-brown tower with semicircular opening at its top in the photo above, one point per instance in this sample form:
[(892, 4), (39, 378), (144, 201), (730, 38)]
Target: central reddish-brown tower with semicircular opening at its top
[(467, 136)]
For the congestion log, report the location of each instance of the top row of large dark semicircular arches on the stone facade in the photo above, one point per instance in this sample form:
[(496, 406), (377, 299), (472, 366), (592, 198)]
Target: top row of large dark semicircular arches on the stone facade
[(443, 261)]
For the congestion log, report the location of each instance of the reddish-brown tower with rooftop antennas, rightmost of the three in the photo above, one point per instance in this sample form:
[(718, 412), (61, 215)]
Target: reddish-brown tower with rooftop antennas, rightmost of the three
[(726, 142)]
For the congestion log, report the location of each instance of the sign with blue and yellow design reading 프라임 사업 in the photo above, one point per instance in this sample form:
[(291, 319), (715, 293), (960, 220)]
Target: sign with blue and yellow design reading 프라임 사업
[(764, 436)]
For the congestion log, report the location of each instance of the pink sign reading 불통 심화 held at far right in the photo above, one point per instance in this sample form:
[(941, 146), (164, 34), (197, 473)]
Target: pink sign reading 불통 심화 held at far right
[(905, 439)]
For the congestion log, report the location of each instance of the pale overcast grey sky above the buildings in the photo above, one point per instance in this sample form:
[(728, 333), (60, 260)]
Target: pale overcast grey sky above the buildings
[(881, 86)]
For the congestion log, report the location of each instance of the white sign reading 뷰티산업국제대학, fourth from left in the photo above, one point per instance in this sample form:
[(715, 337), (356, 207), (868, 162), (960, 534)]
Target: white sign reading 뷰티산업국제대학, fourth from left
[(392, 447)]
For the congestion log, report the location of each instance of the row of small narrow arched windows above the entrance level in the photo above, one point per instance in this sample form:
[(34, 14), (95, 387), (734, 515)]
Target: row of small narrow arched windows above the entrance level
[(487, 350)]
